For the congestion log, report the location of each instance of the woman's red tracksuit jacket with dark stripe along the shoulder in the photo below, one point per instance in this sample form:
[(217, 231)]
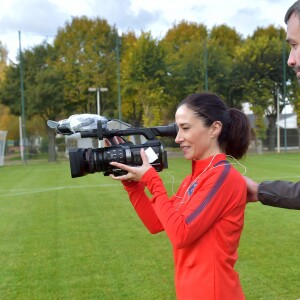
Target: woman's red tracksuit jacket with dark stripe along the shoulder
[(203, 221)]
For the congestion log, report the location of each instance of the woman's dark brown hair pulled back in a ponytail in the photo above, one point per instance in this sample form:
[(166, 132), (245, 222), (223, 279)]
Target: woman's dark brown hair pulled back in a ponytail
[(235, 136)]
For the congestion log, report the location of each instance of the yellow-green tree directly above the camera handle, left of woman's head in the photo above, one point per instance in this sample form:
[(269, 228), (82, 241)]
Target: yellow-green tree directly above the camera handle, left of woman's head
[(143, 80)]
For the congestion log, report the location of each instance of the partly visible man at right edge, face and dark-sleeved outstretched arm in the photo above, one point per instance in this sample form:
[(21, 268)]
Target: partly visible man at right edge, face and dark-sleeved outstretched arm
[(280, 193)]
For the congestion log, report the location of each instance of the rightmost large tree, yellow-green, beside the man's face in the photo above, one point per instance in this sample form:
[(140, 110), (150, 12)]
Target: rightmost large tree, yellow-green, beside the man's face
[(258, 74)]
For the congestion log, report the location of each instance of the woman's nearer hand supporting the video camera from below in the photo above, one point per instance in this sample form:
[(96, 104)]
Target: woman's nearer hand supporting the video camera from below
[(134, 173)]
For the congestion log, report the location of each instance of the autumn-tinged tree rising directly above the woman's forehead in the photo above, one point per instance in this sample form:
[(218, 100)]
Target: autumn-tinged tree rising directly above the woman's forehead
[(184, 45)]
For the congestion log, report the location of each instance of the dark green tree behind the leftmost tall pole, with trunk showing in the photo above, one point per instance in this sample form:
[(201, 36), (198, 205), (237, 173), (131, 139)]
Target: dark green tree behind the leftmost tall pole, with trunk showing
[(43, 90)]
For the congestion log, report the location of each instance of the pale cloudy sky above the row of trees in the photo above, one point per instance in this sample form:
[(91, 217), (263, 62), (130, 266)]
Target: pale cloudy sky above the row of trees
[(39, 20)]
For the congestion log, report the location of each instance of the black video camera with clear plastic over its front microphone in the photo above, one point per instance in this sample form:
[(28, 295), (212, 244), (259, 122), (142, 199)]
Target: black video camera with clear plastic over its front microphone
[(85, 161)]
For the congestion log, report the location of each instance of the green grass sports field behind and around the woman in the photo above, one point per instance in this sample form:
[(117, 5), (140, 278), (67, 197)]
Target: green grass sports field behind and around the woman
[(64, 238)]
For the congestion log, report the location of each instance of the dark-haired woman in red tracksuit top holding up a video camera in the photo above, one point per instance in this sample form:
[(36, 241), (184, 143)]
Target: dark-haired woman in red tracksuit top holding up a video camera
[(204, 220)]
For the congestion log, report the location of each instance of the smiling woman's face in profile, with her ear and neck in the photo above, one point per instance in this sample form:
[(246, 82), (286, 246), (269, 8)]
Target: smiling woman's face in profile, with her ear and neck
[(196, 140)]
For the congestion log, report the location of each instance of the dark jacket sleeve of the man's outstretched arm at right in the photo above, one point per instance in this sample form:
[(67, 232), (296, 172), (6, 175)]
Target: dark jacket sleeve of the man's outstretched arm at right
[(280, 193)]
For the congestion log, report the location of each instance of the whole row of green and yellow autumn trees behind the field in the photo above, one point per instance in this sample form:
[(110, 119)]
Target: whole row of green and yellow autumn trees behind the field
[(147, 75)]
